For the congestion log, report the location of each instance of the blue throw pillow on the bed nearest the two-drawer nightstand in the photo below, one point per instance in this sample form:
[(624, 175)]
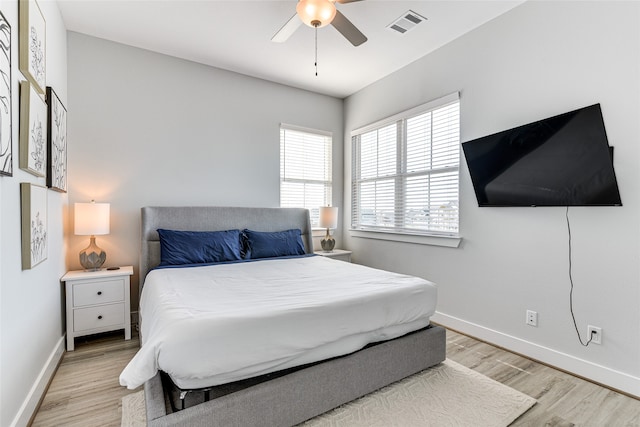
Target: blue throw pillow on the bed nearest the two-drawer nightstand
[(198, 247)]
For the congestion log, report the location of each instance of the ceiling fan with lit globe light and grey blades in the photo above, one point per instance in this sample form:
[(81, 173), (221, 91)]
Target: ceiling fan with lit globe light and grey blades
[(317, 14)]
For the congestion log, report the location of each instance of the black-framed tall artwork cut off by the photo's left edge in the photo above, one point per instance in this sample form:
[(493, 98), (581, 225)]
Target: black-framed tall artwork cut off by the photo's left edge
[(6, 104)]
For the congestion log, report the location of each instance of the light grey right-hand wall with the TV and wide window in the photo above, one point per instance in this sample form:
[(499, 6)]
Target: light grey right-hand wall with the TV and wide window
[(536, 61)]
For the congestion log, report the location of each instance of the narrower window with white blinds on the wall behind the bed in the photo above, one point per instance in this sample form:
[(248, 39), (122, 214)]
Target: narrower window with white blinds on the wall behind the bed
[(305, 169)]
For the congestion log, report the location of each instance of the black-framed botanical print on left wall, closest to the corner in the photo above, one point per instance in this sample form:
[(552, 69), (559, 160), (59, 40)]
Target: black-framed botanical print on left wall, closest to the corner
[(56, 142)]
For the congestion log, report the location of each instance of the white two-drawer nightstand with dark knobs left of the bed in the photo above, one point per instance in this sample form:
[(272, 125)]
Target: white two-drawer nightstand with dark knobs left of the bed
[(97, 301)]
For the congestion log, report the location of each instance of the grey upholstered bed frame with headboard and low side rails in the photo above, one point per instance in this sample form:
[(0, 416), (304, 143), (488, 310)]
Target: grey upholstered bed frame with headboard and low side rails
[(300, 394)]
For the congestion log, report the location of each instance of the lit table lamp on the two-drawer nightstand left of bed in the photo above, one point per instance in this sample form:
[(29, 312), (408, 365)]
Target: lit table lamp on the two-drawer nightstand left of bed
[(91, 219)]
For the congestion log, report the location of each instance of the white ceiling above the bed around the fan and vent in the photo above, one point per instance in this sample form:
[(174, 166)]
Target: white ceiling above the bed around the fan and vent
[(236, 35)]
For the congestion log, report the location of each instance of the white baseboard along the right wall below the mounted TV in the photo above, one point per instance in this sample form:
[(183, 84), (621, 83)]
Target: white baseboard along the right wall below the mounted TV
[(607, 377)]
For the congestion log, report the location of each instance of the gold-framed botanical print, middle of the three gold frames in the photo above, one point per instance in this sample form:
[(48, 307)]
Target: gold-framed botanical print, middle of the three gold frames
[(33, 126)]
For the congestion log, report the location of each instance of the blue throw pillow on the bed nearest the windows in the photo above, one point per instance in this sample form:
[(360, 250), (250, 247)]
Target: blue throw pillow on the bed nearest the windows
[(263, 244)]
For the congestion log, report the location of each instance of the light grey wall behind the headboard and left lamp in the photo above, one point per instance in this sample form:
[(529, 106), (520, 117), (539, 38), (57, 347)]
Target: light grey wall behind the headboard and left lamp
[(149, 130)]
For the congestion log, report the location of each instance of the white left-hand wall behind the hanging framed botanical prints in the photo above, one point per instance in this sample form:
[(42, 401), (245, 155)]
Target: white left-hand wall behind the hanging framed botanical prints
[(31, 318)]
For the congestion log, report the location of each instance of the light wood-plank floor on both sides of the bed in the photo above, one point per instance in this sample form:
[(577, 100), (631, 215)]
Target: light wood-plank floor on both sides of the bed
[(85, 390)]
